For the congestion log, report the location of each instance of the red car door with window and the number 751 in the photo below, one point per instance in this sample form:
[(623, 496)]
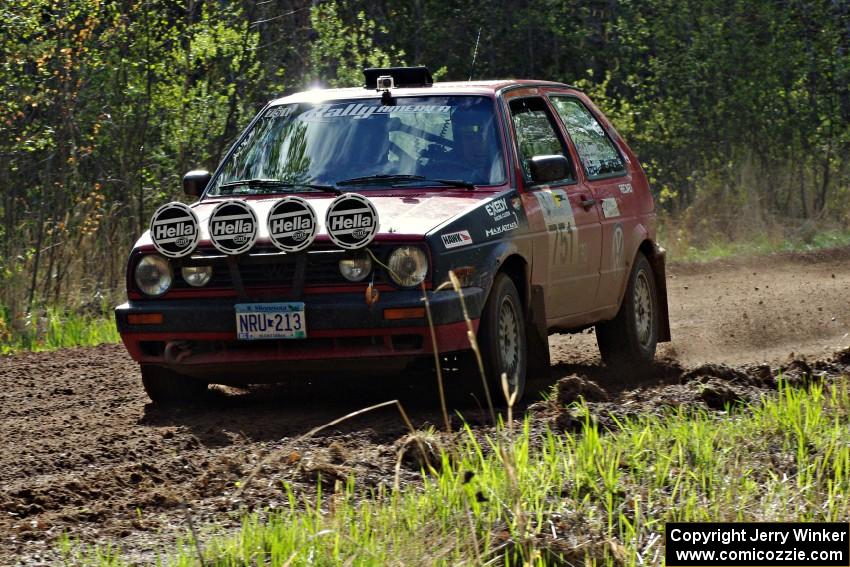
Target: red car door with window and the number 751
[(562, 211)]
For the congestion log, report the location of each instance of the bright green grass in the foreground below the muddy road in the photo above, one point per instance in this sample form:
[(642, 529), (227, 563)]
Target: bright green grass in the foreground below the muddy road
[(538, 497)]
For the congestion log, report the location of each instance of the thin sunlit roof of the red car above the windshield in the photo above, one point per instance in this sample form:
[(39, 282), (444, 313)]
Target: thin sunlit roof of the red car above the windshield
[(485, 88)]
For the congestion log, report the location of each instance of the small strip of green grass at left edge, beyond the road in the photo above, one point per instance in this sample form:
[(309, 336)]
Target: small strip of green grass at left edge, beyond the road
[(56, 329)]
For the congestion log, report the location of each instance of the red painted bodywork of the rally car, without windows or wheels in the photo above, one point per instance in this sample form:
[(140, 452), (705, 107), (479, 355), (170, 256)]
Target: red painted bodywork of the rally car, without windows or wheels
[(581, 273)]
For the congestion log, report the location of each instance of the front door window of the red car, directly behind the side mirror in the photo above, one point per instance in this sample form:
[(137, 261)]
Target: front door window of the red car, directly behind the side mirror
[(536, 132)]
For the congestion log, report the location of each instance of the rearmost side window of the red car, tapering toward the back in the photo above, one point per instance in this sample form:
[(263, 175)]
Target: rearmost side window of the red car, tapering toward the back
[(597, 152)]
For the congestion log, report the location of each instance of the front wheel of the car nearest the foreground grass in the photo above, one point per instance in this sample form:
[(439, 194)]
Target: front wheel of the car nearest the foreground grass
[(502, 339)]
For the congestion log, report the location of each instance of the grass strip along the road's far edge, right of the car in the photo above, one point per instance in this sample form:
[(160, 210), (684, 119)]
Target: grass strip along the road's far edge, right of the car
[(757, 246)]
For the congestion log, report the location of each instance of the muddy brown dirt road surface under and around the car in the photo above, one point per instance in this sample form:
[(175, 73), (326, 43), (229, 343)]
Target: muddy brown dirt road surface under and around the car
[(83, 452)]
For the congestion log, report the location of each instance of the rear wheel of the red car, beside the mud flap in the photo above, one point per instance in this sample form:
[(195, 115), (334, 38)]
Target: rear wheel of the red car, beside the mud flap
[(631, 337)]
